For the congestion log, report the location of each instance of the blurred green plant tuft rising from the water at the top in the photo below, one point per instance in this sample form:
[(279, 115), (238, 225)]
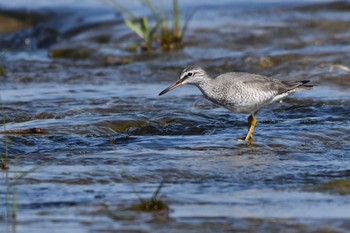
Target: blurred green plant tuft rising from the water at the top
[(160, 33)]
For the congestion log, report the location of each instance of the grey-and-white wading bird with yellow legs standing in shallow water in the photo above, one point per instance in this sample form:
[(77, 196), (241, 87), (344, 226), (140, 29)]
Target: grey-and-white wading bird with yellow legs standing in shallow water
[(239, 92)]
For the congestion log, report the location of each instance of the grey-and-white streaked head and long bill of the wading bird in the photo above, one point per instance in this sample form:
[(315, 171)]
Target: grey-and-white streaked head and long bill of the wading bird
[(191, 75)]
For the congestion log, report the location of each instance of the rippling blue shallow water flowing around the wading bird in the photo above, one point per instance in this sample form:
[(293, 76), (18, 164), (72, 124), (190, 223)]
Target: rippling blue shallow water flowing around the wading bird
[(105, 132)]
